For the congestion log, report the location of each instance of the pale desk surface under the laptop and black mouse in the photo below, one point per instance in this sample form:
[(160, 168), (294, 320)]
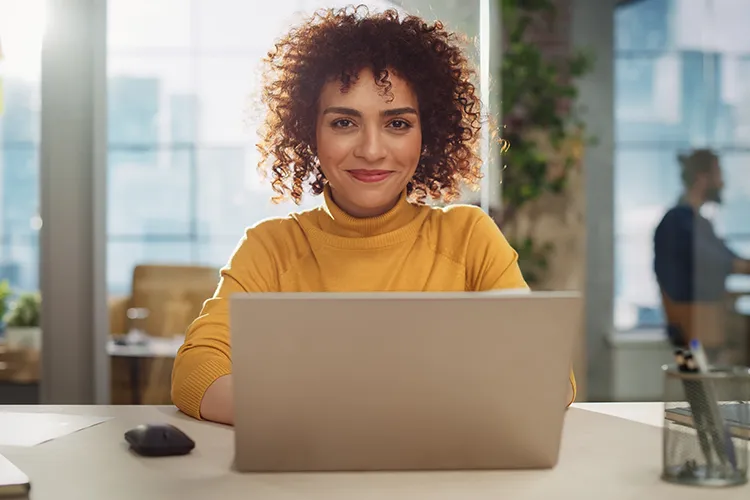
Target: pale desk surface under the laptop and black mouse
[(609, 451)]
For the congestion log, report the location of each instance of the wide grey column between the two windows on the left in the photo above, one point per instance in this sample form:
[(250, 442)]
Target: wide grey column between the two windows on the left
[(73, 190)]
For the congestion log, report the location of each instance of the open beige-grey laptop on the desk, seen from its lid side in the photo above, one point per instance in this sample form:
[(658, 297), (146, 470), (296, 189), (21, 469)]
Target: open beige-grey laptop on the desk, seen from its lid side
[(401, 381)]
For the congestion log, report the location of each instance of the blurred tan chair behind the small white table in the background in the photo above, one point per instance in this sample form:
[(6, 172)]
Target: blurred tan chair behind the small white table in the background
[(173, 296)]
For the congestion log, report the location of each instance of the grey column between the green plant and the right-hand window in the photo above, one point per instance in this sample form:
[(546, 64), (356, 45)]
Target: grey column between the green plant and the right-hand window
[(592, 27)]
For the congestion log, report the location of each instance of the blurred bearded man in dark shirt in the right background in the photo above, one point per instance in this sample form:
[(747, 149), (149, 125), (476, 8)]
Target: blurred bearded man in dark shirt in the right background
[(690, 261)]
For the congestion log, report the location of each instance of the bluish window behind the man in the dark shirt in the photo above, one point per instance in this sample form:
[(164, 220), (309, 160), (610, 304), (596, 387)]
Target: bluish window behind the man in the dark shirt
[(681, 68)]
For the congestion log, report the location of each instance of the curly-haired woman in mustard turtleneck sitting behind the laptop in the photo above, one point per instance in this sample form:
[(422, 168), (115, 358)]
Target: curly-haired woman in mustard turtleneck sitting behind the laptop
[(376, 114)]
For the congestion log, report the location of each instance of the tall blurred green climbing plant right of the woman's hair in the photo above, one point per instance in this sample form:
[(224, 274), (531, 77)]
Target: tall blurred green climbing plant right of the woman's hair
[(543, 133)]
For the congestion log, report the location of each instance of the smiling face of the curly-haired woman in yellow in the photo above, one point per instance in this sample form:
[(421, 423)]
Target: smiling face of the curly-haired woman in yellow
[(368, 144)]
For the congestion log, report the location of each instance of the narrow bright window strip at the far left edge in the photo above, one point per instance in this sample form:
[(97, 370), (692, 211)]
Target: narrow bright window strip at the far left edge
[(20, 71)]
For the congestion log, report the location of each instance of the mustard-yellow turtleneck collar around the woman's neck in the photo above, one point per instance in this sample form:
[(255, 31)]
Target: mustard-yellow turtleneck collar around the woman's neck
[(335, 221)]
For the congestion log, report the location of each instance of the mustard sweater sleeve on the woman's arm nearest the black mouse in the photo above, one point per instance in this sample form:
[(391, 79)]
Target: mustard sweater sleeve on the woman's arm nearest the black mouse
[(205, 355)]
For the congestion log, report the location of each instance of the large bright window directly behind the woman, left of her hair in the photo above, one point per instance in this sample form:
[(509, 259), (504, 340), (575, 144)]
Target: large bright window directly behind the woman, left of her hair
[(182, 182)]
